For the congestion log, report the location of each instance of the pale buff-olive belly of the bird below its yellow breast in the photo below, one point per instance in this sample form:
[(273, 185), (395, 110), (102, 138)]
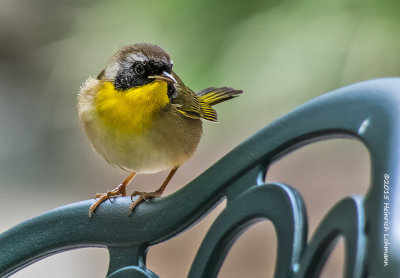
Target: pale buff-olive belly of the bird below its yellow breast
[(158, 148)]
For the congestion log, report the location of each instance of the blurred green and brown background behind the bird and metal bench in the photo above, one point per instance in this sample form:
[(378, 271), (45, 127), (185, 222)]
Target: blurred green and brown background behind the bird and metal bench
[(281, 53)]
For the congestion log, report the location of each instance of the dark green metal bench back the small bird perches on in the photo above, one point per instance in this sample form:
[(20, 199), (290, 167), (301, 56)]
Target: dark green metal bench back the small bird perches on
[(367, 111)]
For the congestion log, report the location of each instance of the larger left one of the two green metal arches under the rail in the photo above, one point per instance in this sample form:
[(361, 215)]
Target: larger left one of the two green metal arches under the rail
[(276, 202)]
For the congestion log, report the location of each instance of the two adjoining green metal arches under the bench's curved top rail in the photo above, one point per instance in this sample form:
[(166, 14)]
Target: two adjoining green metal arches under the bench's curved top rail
[(283, 206)]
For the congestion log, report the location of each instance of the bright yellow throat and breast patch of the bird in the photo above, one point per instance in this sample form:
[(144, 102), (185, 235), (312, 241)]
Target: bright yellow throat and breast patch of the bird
[(131, 111)]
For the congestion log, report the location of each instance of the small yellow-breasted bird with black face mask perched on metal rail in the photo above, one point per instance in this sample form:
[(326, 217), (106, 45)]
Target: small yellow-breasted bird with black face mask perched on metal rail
[(141, 117)]
